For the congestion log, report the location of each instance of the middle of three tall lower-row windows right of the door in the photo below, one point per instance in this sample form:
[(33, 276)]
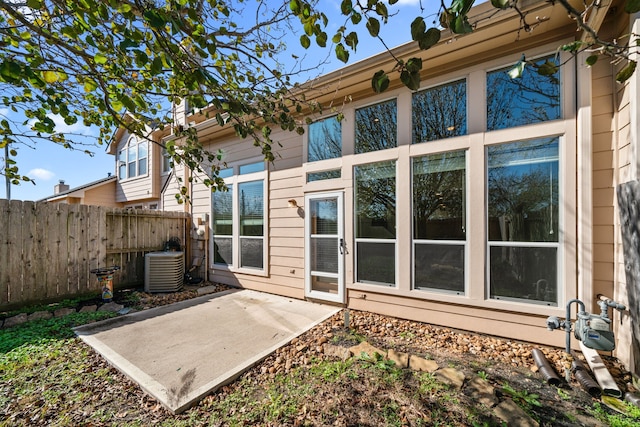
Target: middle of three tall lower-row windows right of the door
[(439, 221)]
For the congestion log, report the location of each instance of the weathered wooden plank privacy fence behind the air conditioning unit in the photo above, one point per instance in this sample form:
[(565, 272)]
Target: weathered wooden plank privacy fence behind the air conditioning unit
[(47, 250)]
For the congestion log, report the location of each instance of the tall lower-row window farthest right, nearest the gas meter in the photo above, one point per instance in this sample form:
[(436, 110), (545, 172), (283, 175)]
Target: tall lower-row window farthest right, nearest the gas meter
[(523, 200)]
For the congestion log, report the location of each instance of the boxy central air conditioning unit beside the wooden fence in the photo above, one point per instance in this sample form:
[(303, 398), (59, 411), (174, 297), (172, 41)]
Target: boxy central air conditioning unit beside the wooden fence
[(163, 271)]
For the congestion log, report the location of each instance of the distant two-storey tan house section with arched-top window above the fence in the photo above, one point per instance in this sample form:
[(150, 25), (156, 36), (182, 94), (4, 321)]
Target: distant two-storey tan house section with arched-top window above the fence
[(142, 170)]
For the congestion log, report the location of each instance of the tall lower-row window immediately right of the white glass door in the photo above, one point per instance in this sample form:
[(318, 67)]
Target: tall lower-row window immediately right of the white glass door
[(375, 227)]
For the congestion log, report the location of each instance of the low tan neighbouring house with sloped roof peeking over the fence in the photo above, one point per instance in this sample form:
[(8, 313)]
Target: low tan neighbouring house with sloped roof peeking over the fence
[(99, 193)]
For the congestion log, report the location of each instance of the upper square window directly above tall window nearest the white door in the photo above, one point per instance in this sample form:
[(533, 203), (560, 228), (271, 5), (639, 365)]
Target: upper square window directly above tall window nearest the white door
[(376, 127)]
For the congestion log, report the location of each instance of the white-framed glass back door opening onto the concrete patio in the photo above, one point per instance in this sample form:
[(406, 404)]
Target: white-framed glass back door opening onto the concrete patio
[(324, 247)]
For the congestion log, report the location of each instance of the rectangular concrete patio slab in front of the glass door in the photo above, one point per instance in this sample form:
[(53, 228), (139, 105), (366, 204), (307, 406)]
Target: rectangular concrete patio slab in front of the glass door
[(181, 352)]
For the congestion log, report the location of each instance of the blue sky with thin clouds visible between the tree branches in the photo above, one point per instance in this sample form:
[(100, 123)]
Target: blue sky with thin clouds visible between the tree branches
[(48, 163)]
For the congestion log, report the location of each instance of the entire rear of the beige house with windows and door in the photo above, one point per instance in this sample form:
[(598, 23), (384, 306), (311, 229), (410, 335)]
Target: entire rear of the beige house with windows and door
[(478, 202)]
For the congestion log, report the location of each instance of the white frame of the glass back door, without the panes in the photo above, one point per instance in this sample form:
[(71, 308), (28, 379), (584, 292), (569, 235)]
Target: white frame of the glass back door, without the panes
[(339, 297)]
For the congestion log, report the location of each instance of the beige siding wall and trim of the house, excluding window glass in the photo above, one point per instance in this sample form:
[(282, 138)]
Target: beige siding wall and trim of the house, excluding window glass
[(609, 159)]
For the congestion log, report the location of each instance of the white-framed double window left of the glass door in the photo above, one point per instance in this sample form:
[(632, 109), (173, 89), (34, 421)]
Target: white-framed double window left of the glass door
[(238, 221)]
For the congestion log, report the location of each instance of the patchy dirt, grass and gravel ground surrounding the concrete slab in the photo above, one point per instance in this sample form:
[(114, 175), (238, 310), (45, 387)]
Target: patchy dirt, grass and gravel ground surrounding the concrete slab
[(300, 384)]
